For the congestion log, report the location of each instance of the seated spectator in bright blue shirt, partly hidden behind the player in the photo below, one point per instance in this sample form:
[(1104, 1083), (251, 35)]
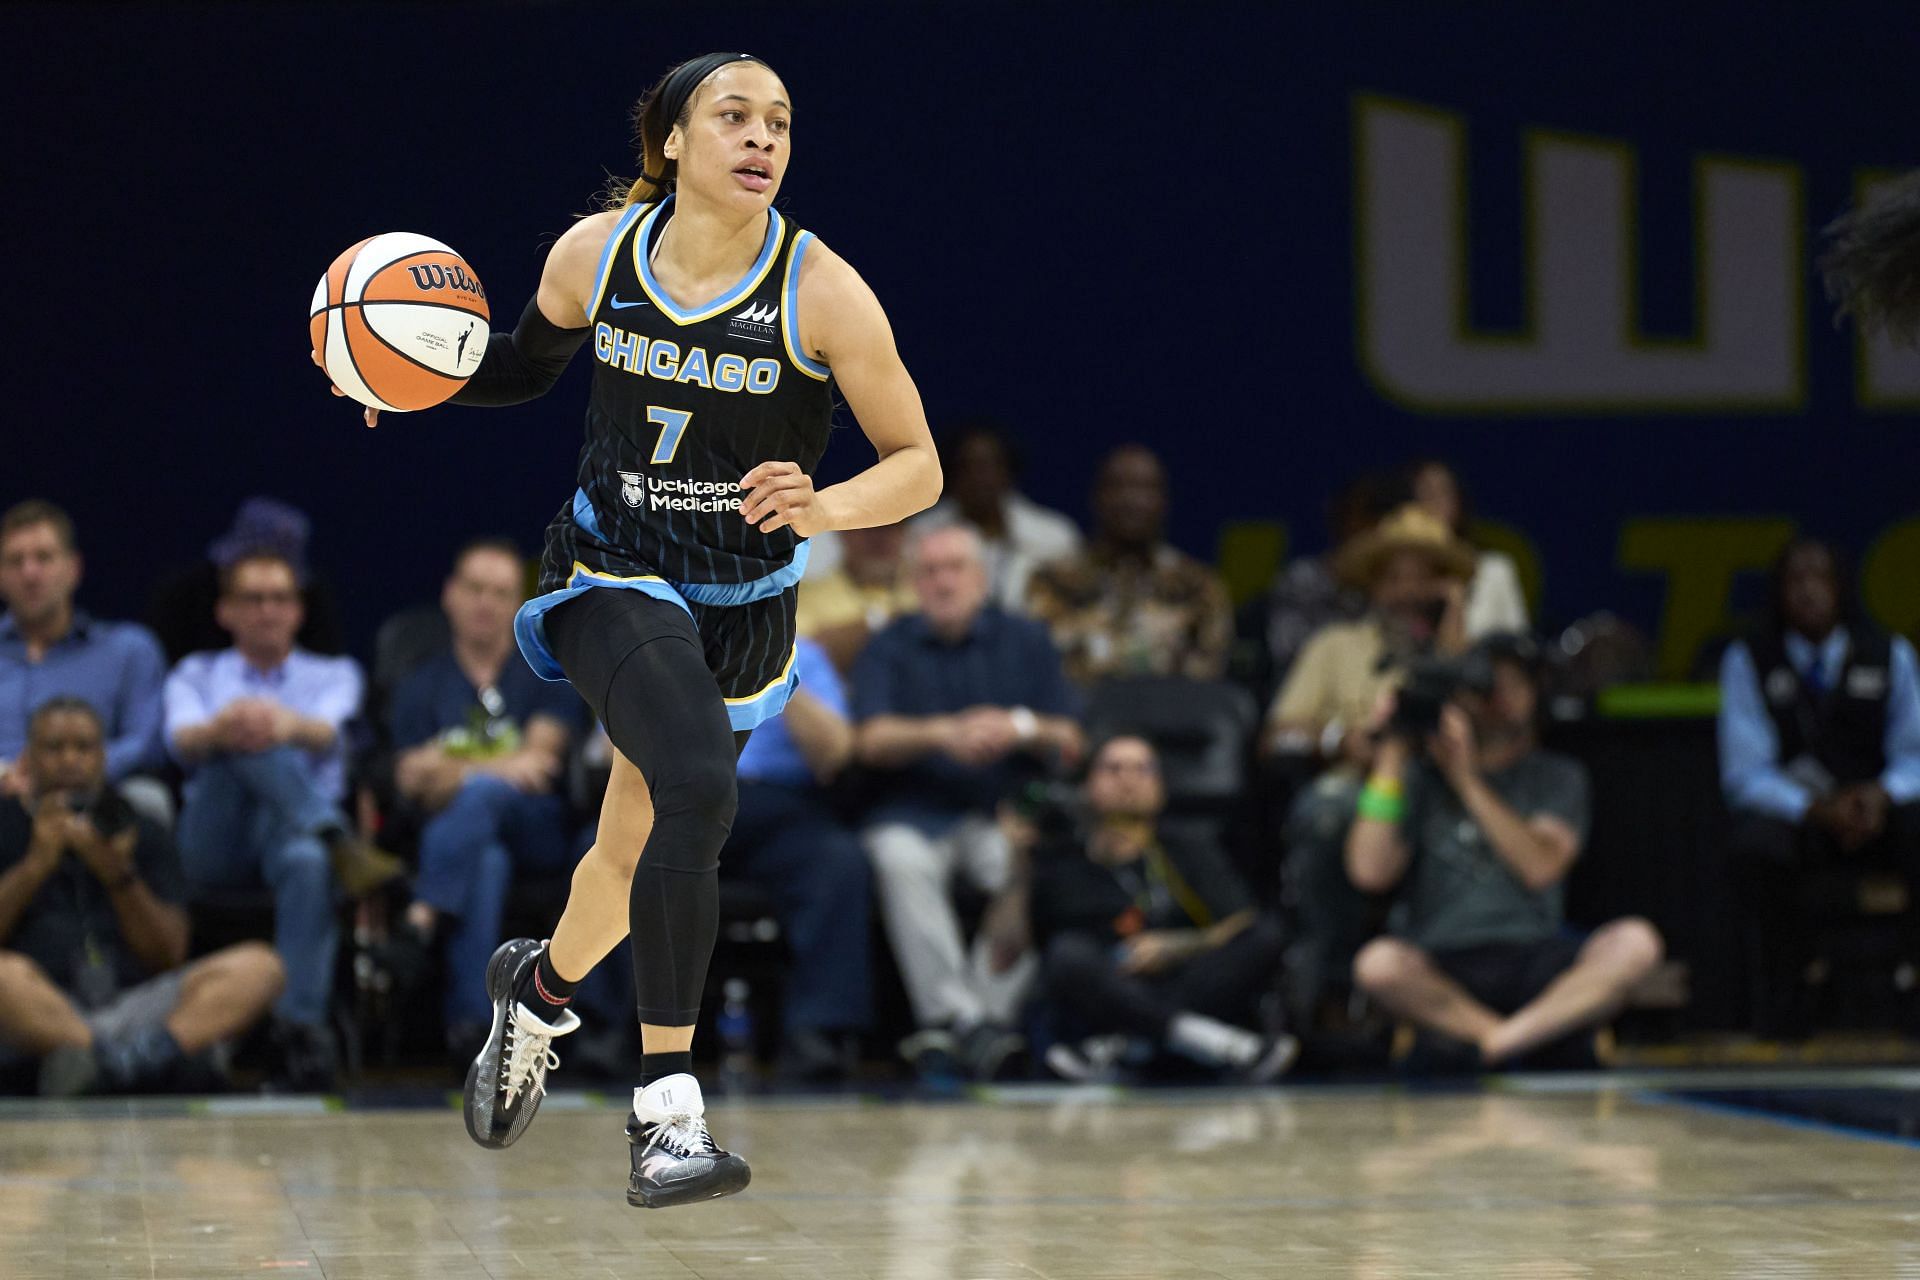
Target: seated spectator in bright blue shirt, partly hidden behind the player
[(788, 840)]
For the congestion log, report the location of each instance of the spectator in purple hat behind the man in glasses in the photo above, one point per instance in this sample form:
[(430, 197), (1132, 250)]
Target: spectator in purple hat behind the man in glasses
[(185, 607)]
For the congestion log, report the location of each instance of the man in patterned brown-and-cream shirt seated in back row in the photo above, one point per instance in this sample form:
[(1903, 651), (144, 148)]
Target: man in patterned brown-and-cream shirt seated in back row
[(1132, 605)]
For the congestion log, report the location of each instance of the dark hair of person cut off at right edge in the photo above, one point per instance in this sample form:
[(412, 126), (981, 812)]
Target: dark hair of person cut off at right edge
[(1873, 260)]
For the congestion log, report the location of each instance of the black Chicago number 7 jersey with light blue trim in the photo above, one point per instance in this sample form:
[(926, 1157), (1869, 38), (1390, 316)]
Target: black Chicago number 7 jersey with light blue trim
[(684, 404)]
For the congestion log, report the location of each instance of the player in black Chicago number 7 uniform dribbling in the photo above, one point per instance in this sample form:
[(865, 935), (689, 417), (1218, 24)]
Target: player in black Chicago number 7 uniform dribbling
[(667, 584)]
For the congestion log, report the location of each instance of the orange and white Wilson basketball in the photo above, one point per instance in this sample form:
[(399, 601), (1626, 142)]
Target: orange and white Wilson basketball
[(400, 321)]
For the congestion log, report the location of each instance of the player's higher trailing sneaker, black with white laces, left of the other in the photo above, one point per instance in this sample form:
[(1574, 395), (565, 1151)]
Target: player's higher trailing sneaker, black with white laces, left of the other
[(510, 1074)]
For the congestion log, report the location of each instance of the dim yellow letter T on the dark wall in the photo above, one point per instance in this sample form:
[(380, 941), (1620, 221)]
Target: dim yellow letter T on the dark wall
[(1700, 557)]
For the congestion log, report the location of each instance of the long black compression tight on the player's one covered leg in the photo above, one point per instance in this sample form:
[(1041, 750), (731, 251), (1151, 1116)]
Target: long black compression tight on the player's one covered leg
[(640, 665)]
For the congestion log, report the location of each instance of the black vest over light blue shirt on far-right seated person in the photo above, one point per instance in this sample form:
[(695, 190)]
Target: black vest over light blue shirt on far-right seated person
[(1844, 728)]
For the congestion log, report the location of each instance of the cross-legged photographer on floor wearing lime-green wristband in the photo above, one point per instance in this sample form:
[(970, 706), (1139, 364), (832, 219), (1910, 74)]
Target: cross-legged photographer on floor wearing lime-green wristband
[(1477, 828)]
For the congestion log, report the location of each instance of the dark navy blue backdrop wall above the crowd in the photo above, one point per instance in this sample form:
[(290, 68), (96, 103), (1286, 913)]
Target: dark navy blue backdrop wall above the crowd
[(1095, 222)]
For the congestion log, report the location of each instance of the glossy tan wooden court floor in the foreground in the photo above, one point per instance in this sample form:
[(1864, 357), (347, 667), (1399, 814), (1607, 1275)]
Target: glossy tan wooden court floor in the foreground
[(1537, 1179)]
